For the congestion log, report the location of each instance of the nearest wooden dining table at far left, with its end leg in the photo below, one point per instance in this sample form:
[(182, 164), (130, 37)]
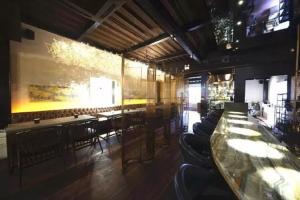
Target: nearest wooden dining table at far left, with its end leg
[(13, 129)]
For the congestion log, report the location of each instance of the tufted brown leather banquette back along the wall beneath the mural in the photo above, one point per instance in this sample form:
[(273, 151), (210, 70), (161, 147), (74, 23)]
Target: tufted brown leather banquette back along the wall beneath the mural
[(51, 114)]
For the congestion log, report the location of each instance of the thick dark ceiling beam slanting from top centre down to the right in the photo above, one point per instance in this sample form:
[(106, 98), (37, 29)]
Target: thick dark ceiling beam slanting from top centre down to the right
[(157, 11)]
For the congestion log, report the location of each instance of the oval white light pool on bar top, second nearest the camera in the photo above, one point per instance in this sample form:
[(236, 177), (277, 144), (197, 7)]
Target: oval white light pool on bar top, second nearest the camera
[(255, 148)]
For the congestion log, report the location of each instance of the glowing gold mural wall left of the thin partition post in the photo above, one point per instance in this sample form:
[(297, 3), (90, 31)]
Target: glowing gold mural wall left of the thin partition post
[(52, 72)]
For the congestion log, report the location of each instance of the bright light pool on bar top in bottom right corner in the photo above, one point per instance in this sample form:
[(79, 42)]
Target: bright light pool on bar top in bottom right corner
[(284, 181)]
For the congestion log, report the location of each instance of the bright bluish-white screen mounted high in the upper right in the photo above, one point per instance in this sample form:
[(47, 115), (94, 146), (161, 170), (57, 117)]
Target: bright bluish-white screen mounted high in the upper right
[(266, 16)]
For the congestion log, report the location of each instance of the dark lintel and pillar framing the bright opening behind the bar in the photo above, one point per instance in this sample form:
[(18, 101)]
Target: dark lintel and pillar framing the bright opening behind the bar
[(259, 72)]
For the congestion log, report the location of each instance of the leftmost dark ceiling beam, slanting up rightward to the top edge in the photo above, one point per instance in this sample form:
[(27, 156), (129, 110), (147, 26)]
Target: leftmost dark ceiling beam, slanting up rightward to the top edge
[(109, 7)]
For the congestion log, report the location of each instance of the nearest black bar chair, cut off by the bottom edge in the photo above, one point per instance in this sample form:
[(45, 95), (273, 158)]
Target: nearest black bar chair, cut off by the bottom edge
[(193, 182)]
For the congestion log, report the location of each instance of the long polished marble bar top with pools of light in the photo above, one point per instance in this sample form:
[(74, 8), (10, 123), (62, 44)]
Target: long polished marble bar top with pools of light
[(253, 162)]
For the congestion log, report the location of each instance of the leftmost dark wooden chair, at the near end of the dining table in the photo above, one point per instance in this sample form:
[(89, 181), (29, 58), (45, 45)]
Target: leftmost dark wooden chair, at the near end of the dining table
[(37, 146)]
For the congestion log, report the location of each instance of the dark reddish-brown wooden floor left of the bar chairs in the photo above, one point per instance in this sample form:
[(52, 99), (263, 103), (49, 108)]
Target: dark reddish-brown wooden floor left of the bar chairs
[(96, 176)]
